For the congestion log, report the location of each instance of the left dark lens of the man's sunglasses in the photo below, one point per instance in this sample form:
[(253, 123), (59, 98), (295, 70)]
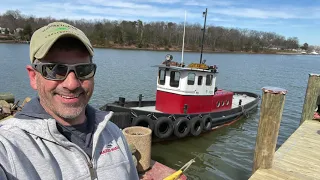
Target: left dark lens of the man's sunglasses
[(54, 71)]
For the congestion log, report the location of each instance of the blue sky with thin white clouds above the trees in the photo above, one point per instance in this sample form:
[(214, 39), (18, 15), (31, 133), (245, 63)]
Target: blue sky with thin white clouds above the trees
[(290, 18)]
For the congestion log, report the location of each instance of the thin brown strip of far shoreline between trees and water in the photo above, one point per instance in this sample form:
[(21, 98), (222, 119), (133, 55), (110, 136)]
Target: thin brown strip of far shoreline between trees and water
[(169, 49)]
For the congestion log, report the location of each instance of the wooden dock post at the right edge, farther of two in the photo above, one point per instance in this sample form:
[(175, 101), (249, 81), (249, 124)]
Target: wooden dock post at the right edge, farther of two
[(311, 96)]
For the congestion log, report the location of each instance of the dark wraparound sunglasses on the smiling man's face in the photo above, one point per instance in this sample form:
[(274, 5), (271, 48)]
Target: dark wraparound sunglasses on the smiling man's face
[(58, 72)]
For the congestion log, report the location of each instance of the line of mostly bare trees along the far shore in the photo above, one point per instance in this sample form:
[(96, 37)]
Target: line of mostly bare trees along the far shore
[(155, 35)]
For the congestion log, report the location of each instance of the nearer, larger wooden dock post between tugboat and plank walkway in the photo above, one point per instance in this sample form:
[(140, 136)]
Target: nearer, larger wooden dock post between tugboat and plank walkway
[(270, 117)]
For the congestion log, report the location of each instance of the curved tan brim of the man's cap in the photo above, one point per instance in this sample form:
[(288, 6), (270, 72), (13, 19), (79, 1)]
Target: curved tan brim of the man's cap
[(42, 52)]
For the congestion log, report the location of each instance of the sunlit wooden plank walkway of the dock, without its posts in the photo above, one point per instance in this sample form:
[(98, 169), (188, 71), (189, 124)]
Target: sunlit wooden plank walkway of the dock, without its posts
[(298, 157)]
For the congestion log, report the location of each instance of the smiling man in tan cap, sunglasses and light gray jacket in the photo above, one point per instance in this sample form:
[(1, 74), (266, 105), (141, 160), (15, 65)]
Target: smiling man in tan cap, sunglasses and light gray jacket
[(58, 135)]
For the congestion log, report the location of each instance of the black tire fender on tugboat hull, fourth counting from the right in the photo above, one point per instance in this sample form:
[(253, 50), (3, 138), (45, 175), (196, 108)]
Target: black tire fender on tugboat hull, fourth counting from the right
[(163, 127)]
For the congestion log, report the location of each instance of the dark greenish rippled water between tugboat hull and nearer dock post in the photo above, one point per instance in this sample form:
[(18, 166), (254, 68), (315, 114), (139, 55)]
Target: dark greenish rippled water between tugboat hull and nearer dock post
[(220, 154)]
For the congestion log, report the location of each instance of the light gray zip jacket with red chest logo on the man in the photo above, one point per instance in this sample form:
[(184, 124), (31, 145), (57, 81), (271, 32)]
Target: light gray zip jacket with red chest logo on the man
[(35, 149)]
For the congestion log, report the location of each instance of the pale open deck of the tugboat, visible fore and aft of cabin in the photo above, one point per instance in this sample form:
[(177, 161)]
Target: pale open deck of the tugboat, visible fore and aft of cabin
[(235, 103)]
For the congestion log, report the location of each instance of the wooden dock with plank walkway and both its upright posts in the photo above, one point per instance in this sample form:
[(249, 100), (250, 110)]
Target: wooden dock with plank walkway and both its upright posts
[(299, 156)]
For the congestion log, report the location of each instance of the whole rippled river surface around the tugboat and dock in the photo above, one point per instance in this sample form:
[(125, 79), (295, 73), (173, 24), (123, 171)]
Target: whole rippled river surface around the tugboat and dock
[(225, 153)]
